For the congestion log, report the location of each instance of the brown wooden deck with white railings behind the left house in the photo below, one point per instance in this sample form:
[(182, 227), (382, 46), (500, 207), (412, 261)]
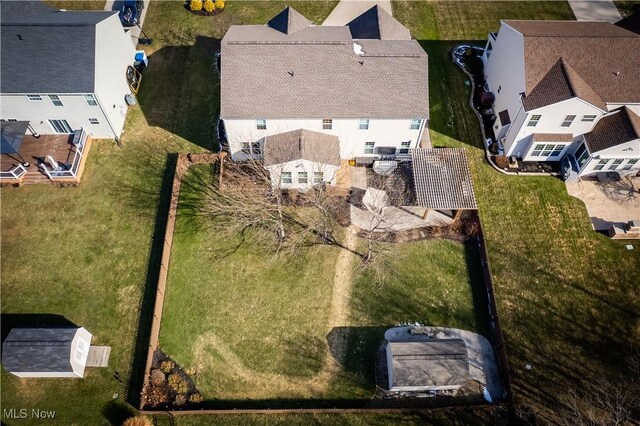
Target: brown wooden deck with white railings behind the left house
[(35, 150)]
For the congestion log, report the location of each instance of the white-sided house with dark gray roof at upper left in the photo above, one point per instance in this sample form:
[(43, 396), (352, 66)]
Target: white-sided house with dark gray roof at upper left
[(64, 70)]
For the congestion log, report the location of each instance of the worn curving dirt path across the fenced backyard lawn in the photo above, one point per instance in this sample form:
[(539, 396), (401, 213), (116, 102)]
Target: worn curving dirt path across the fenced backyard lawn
[(271, 383)]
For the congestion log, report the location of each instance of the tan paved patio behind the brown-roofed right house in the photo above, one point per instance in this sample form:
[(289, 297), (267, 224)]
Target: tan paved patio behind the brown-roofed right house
[(608, 203)]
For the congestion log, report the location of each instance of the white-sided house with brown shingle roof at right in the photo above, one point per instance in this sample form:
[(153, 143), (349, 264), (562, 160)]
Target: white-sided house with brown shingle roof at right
[(566, 91)]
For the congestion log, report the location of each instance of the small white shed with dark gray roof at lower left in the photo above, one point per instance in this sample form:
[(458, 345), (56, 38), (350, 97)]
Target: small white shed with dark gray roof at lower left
[(46, 352)]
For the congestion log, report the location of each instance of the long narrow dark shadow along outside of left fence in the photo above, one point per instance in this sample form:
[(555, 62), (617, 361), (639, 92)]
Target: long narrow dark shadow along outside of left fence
[(147, 302)]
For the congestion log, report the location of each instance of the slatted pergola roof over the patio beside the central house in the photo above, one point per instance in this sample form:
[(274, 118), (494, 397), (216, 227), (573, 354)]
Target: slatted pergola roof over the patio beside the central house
[(442, 179)]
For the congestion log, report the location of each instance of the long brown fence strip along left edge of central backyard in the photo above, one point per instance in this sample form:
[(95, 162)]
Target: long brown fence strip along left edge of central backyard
[(182, 165)]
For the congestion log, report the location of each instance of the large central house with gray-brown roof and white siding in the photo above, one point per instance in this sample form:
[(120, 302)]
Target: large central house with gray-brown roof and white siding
[(365, 84)]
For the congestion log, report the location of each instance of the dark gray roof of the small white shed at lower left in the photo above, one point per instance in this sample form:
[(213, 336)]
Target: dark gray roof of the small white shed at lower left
[(38, 349)]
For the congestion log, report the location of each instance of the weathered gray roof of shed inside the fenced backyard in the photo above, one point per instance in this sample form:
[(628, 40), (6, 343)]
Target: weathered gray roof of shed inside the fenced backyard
[(439, 362)]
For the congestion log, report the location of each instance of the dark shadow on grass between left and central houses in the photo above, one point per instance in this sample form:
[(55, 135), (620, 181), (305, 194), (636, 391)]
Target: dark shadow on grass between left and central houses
[(180, 91)]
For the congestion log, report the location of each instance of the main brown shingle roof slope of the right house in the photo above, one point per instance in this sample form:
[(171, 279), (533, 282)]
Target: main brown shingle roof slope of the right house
[(596, 56)]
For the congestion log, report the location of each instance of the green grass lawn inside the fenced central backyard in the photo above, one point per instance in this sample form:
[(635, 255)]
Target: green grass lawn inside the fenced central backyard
[(252, 325)]
